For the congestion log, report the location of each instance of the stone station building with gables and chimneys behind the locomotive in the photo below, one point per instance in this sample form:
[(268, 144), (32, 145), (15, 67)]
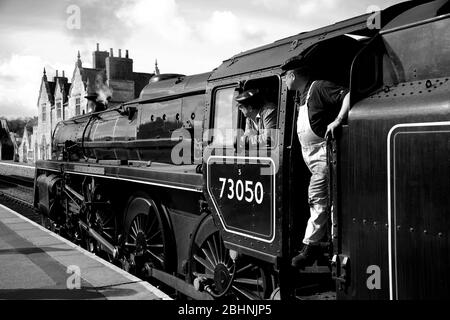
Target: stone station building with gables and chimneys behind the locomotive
[(60, 99)]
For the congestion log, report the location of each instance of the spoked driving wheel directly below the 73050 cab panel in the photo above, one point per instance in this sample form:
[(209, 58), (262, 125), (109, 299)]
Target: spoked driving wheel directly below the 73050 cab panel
[(244, 279)]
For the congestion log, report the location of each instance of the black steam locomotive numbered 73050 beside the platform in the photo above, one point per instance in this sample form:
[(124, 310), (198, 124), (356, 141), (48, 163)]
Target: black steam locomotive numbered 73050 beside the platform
[(158, 186)]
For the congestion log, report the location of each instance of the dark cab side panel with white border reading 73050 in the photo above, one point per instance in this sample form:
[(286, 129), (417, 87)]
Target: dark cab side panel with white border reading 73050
[(243, 193)]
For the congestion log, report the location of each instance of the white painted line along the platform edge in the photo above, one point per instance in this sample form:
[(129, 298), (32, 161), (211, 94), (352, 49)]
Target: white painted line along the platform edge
[(132, 278)]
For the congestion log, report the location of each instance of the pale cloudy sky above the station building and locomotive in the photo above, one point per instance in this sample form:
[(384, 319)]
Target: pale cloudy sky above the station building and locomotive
[(185, 36)]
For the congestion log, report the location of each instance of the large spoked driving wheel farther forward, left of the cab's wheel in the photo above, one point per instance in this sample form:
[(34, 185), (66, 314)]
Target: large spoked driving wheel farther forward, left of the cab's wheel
[(146, 237)]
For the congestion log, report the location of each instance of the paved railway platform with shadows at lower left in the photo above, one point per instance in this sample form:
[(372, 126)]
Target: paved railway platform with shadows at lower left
[(38, 264)]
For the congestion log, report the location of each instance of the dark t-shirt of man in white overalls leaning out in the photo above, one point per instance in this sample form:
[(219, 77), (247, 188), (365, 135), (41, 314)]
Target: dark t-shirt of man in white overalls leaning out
[(324, 104)]
